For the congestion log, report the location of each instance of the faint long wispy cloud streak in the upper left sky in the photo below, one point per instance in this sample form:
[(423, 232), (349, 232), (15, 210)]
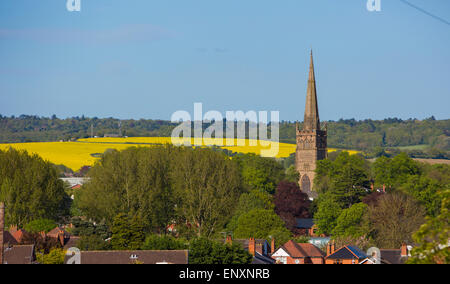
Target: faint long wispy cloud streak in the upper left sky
[(129, 33)]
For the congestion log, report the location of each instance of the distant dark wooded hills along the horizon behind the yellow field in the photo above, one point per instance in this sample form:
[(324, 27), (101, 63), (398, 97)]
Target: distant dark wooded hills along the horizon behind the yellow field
[(429, 138)]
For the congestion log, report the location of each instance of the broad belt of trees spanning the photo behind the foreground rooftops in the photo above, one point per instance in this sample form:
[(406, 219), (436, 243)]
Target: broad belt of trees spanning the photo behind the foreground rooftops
[(168, 197)]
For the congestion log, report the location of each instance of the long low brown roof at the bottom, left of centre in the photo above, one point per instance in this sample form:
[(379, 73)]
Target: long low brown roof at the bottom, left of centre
[(133, 257)]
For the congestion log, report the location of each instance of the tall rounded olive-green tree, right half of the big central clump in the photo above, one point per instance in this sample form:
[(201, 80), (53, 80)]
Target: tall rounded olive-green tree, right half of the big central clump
[(208, 185)]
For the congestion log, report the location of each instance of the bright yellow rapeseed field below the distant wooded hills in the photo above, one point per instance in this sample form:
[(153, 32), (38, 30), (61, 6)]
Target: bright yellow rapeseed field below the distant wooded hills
[(77, 154)]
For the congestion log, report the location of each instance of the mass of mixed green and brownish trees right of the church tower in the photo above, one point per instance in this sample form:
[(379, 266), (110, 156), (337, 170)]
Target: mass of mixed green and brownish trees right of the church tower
[(385, 203)]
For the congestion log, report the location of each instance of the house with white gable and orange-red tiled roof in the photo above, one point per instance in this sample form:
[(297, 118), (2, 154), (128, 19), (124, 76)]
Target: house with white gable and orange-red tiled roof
[(299, 253)]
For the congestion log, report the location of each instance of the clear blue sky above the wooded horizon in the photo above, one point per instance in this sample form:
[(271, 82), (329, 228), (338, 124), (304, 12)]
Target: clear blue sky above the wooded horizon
[(148, 59)]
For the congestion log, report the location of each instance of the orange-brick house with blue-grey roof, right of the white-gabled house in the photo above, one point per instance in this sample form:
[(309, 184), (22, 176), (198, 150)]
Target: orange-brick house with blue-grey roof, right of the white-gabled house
[(345, 255)]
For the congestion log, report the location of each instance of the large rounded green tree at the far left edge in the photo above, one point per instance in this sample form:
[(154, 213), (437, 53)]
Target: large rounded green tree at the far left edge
[(30, 188)]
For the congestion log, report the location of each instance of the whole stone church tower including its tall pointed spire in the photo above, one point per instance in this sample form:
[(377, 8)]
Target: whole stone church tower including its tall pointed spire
[(311, 140)]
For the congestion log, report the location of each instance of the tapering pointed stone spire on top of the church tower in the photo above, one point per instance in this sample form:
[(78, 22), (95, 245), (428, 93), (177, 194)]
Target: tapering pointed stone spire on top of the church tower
[(311, 121)]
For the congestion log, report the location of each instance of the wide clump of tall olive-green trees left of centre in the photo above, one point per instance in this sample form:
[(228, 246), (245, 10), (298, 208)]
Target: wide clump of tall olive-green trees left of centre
[(164, 184)]
